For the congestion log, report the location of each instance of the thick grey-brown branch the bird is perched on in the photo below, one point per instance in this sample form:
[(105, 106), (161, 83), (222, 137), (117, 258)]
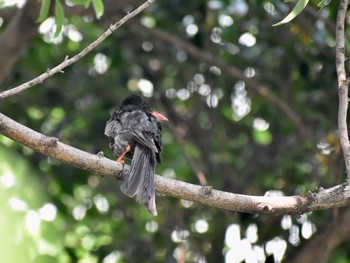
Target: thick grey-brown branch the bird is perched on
[(295, 205)]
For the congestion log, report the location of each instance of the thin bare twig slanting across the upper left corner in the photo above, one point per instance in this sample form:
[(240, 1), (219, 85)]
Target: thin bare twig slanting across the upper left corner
[(77, 57)]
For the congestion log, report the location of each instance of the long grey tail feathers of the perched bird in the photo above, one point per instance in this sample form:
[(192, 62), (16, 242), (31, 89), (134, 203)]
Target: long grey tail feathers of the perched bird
[(140, 180)]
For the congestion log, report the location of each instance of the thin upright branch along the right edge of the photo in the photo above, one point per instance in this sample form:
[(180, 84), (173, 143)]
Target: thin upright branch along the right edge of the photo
[(343, 83)]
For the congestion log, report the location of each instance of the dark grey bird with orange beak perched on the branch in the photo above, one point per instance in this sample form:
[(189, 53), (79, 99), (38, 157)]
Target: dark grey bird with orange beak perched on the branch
[(134, 131)]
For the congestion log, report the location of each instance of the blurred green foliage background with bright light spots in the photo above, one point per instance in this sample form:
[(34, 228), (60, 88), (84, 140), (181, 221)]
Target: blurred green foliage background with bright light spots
[(252, 108)]
